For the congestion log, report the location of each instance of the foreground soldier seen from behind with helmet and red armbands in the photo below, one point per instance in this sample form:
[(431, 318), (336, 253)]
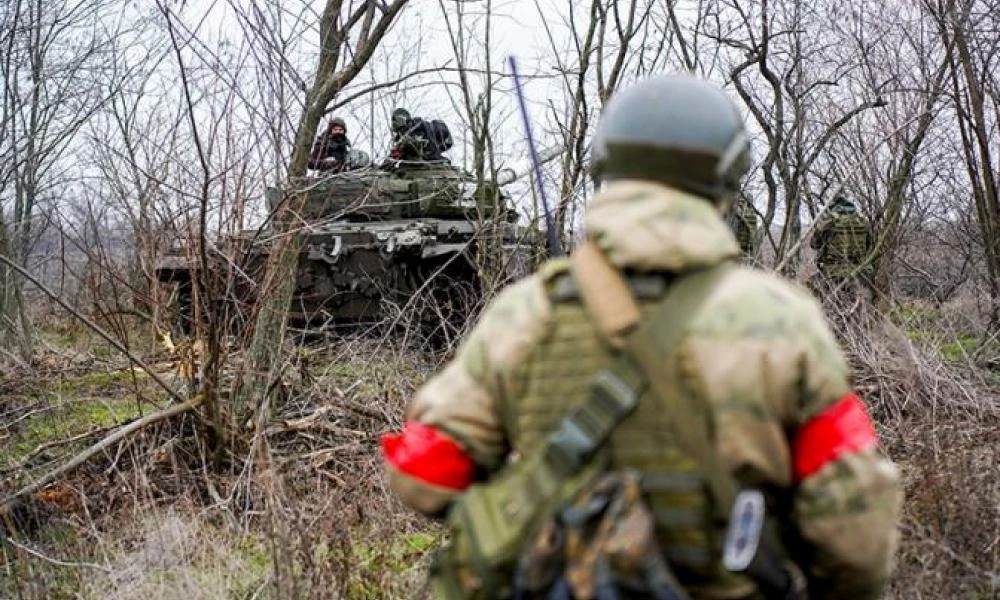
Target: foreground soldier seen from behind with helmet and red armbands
[(646, 419)]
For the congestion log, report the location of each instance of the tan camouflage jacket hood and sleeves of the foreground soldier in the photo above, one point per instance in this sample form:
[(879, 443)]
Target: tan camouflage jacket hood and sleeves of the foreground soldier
[(765, 383)]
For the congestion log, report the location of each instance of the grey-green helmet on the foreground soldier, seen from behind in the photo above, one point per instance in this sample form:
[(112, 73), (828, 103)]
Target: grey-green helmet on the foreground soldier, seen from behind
[(678, 130)]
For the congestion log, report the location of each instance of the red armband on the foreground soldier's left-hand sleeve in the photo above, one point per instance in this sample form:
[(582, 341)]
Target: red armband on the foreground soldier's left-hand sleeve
[(424, 453)]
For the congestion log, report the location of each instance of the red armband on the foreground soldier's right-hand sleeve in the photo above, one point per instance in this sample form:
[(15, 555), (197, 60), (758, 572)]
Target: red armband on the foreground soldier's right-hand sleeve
[(842, 428)]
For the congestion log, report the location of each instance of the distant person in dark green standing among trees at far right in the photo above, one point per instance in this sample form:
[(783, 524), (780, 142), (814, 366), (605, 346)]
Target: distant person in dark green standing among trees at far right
[(843, 242)]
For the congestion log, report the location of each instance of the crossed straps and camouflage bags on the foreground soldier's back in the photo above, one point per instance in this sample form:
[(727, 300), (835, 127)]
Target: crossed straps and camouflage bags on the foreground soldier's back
[(559, 510)]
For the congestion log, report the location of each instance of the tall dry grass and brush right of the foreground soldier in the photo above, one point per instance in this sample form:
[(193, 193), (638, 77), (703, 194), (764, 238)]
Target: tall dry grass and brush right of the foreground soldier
[(939, 419)]
